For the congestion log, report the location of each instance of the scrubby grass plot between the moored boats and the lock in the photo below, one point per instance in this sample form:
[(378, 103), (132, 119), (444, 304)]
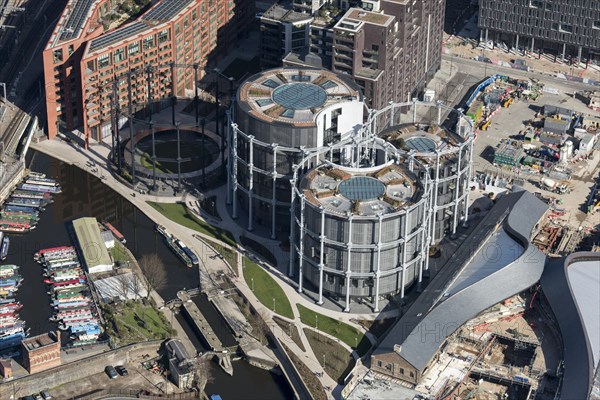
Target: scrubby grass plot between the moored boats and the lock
[(133, 321)]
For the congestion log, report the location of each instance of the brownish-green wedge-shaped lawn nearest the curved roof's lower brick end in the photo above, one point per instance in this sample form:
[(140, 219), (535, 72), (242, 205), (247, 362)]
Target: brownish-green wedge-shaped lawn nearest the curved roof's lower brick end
[(333, 357)]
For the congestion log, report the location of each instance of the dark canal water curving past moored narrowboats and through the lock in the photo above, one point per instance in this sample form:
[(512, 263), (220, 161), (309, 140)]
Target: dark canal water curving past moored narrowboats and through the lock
[(84, 195)]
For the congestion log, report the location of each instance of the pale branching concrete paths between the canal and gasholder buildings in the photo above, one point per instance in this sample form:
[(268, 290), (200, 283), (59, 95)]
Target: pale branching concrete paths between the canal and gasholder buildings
[(98, 154)]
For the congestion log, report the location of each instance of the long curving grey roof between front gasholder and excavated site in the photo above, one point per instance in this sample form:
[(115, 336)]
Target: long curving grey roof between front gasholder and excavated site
[(419, 338)]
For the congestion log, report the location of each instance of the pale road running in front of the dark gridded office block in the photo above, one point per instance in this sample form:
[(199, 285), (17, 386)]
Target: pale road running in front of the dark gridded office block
[(479, 69)]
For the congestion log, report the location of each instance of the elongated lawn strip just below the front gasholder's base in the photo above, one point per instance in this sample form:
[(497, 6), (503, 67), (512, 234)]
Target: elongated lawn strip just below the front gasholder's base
[(346, 333)]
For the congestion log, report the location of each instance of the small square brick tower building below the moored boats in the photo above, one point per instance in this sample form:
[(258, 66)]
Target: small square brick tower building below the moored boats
[(41, 352)]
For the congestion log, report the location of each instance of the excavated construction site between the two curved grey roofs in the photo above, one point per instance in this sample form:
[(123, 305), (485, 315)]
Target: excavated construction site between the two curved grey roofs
[(503, 353)]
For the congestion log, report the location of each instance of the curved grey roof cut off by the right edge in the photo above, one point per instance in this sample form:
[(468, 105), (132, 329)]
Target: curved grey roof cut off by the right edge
[(573, 302)]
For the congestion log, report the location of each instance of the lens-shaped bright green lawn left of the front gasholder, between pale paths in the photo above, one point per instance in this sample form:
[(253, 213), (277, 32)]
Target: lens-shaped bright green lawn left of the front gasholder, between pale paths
[(266, 289)]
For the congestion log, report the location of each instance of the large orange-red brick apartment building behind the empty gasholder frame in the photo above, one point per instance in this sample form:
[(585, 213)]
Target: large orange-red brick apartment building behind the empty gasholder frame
[(81, 60)]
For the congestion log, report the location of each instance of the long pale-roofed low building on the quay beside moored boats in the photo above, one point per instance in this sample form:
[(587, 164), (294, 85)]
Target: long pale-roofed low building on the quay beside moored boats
[(90, 242)]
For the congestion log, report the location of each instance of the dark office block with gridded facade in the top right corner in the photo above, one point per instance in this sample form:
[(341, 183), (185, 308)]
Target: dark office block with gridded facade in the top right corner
[(565, 28)]
